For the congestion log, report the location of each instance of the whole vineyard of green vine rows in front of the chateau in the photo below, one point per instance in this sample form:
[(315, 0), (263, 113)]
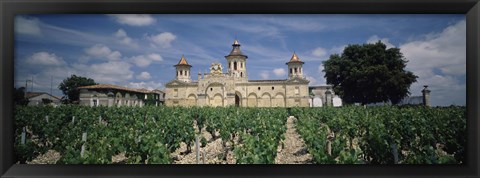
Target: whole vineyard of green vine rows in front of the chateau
[(158, 135)]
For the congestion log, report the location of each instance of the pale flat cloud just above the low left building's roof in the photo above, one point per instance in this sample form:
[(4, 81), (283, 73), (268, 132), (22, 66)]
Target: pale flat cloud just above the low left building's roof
[(112, 72)]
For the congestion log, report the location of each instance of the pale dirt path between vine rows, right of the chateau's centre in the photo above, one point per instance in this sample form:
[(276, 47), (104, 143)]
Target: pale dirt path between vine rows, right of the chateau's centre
[(294, 150)]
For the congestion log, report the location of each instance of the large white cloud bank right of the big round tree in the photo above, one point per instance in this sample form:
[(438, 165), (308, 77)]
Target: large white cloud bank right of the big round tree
[(439, 60)]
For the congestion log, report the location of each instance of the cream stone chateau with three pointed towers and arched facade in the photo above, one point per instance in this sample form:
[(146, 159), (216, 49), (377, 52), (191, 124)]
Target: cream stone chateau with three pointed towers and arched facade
[(219, 88)]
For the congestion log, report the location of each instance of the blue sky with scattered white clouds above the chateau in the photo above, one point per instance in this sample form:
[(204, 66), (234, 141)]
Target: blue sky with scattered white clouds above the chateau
[(139, 50)]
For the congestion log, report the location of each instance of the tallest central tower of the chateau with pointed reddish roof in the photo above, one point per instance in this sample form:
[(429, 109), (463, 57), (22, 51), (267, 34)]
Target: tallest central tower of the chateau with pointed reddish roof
[(237, 62)]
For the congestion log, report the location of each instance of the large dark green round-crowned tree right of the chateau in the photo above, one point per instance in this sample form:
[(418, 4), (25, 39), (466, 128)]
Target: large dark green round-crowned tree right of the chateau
[(369, 73)]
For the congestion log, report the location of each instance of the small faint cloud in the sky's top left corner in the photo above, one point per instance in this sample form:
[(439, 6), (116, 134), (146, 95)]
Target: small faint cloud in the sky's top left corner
[(27, 25)]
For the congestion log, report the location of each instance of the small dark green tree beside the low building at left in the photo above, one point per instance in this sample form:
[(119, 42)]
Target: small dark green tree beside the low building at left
[(69, 87)]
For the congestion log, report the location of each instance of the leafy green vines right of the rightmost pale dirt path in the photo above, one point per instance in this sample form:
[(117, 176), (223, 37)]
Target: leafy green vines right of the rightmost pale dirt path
[(374, 131)]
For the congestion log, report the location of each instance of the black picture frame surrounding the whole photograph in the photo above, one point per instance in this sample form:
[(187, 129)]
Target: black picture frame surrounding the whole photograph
[(9, 8)]
